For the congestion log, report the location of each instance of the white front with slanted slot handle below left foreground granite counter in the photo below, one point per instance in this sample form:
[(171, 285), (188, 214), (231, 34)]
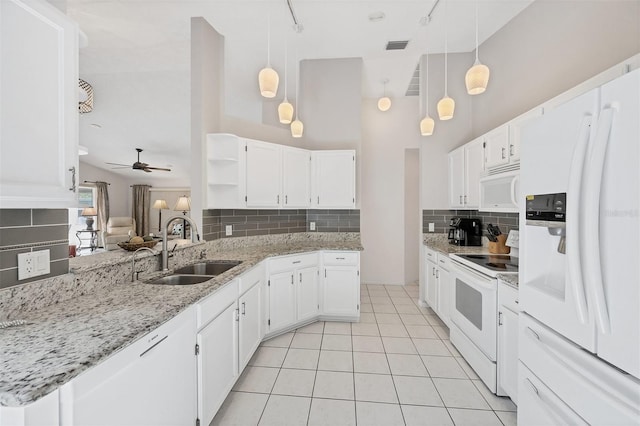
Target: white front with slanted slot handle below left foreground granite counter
[(150, 382)]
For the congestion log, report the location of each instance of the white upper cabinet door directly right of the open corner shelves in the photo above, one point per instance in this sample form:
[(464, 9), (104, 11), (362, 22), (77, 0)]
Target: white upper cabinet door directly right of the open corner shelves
[(263, 174)]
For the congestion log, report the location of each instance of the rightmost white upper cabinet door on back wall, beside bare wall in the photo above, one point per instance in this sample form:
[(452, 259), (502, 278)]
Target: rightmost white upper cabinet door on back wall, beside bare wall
[(334, 179)]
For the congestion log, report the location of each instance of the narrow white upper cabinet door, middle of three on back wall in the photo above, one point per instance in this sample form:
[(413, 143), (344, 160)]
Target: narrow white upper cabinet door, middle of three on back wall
[(296, 179)]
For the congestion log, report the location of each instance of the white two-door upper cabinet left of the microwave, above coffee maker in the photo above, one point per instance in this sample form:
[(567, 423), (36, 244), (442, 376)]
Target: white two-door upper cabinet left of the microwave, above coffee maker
[(465, 169)]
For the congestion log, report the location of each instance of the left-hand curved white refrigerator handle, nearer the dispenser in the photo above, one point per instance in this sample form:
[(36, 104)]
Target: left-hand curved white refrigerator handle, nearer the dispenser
[(573, 229)]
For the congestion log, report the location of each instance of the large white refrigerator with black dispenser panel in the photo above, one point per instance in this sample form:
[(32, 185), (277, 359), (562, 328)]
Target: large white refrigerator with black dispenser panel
[(579, 331)]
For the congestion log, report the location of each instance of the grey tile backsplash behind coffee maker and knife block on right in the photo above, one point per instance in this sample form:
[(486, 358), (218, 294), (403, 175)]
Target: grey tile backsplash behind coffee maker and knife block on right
[(441, 218)]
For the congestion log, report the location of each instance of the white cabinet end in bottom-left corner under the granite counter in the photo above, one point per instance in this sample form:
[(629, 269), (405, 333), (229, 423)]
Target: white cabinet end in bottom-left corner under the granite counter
[(44, 411)]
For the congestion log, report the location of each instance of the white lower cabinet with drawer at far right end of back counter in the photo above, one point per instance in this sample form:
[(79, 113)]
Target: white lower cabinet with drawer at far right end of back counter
[(341, 285)]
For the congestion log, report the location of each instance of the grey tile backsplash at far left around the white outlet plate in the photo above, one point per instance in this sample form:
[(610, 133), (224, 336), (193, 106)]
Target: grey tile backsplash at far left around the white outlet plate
[(26, 230)]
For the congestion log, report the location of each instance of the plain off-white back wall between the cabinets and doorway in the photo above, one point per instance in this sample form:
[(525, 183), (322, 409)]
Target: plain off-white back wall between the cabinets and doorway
[(386, 136)]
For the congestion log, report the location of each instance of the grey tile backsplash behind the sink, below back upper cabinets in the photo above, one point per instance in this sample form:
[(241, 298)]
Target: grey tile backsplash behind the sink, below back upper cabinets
[(246, 223)]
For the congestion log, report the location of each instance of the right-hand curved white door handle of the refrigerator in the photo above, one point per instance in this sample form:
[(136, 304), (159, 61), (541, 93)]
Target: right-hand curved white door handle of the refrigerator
[(592, 261)]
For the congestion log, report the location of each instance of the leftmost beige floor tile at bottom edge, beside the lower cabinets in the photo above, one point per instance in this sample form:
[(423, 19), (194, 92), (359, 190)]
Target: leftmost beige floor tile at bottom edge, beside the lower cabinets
[(240, 409)]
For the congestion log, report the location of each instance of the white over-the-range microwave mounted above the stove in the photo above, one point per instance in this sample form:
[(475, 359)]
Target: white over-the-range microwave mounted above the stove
[(499, 190)]
